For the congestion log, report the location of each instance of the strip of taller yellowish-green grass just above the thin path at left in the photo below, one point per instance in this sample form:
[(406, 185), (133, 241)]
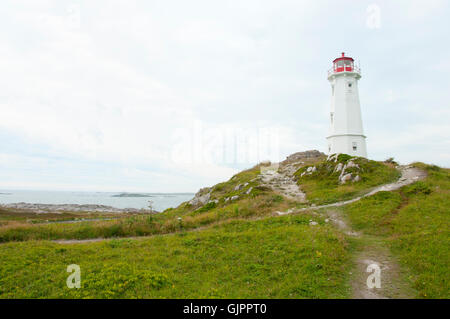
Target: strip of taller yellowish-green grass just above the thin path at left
[(145, 225)]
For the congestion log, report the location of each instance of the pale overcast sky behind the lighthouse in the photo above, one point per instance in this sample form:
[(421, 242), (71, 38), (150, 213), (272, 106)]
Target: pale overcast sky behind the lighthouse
[(170, 96)]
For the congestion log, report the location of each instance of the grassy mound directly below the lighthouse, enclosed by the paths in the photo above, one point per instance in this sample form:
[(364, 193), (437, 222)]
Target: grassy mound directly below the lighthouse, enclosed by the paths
[(322, 187)]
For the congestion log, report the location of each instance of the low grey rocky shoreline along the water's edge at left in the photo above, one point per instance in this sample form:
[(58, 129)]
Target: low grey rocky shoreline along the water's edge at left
[(52, 208)]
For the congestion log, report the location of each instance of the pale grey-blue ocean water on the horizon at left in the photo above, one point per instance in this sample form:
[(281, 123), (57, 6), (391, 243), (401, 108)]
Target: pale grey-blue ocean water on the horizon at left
[(160, 201)]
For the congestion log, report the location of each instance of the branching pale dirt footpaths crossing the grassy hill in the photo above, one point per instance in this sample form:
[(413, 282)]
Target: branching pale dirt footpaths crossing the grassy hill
[(370, 251)]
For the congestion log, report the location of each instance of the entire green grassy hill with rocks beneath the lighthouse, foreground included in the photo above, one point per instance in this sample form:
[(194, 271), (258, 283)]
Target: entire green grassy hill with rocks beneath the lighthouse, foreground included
[(230, 240)]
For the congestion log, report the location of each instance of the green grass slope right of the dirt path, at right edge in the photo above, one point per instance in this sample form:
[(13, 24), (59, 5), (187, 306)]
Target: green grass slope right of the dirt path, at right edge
[(415, 221)]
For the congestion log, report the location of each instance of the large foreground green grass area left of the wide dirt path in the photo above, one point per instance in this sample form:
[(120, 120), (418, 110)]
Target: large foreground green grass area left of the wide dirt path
[(271, 258)]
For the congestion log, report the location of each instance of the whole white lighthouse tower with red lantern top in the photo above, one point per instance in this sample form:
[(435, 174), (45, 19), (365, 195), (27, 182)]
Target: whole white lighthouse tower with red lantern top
[(346, 131)]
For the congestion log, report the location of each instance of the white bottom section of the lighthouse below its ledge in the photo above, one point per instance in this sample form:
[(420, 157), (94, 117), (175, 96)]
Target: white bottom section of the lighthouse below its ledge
[(351, 144)]
